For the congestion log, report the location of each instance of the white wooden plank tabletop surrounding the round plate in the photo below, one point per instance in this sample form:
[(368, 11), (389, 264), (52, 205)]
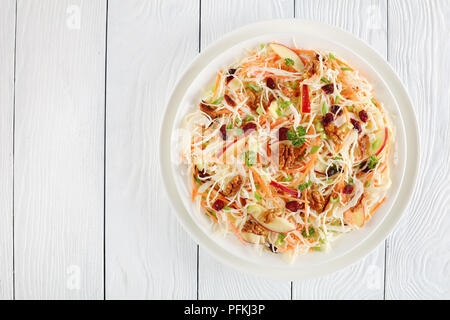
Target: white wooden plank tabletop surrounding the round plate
[(83, 86)]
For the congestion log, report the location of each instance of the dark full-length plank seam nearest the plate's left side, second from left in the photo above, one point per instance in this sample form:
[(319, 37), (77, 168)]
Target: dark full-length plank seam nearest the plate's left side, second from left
[(104, 153)]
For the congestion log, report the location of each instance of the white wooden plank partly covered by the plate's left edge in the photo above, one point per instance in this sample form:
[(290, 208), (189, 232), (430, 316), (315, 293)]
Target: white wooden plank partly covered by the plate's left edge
[(148, 255)]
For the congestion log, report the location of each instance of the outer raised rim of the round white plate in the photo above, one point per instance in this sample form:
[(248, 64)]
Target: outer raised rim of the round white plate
[(395, 85)]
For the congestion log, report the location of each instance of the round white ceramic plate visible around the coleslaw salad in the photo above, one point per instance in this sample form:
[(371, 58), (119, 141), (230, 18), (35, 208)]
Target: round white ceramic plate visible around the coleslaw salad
[(388, 90)]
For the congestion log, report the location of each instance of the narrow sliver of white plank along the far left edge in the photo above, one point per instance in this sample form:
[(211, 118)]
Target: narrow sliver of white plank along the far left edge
[(7, 26)]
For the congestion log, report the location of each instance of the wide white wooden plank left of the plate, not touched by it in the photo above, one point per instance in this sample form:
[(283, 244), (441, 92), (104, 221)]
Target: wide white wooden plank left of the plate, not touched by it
[(59, 149)]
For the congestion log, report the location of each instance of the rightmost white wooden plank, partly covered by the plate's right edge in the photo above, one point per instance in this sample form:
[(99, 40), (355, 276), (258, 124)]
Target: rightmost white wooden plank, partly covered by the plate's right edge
[(418, 256)]
